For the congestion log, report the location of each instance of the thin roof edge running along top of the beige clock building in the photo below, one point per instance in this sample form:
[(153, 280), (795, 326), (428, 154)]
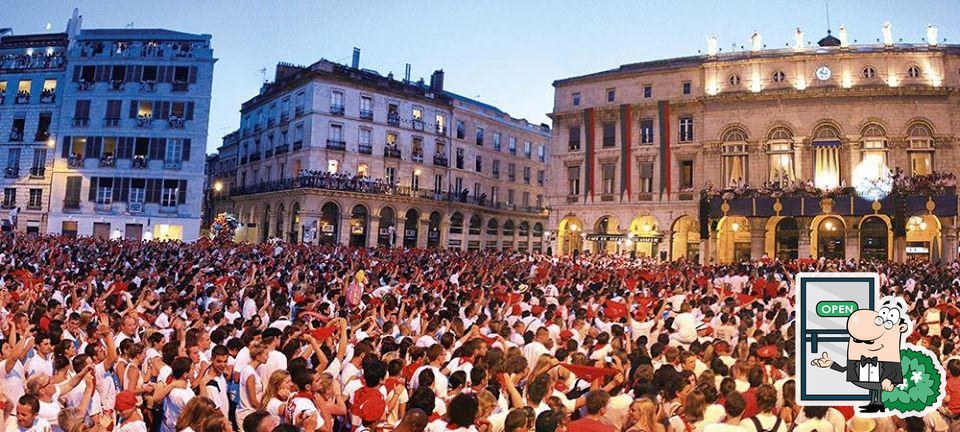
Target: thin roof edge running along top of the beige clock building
[(698, 60)]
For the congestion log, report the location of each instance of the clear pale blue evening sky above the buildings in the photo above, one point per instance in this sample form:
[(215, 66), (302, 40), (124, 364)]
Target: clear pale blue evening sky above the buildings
[(505, 53)]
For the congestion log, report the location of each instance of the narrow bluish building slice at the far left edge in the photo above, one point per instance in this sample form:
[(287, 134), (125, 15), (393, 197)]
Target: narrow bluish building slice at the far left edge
[(31, 82)]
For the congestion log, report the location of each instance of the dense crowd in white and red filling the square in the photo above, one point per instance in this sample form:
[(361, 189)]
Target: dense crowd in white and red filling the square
[(111, 335)]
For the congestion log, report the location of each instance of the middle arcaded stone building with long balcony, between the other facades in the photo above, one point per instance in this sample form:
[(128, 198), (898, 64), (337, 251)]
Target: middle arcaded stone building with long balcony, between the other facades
[(337, 154)]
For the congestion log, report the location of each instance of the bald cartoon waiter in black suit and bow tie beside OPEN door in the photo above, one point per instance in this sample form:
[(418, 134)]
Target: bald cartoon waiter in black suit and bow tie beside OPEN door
[(873, 353)]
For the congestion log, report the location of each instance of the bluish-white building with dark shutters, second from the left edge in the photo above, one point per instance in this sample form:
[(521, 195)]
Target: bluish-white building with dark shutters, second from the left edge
[(130, 151)]
